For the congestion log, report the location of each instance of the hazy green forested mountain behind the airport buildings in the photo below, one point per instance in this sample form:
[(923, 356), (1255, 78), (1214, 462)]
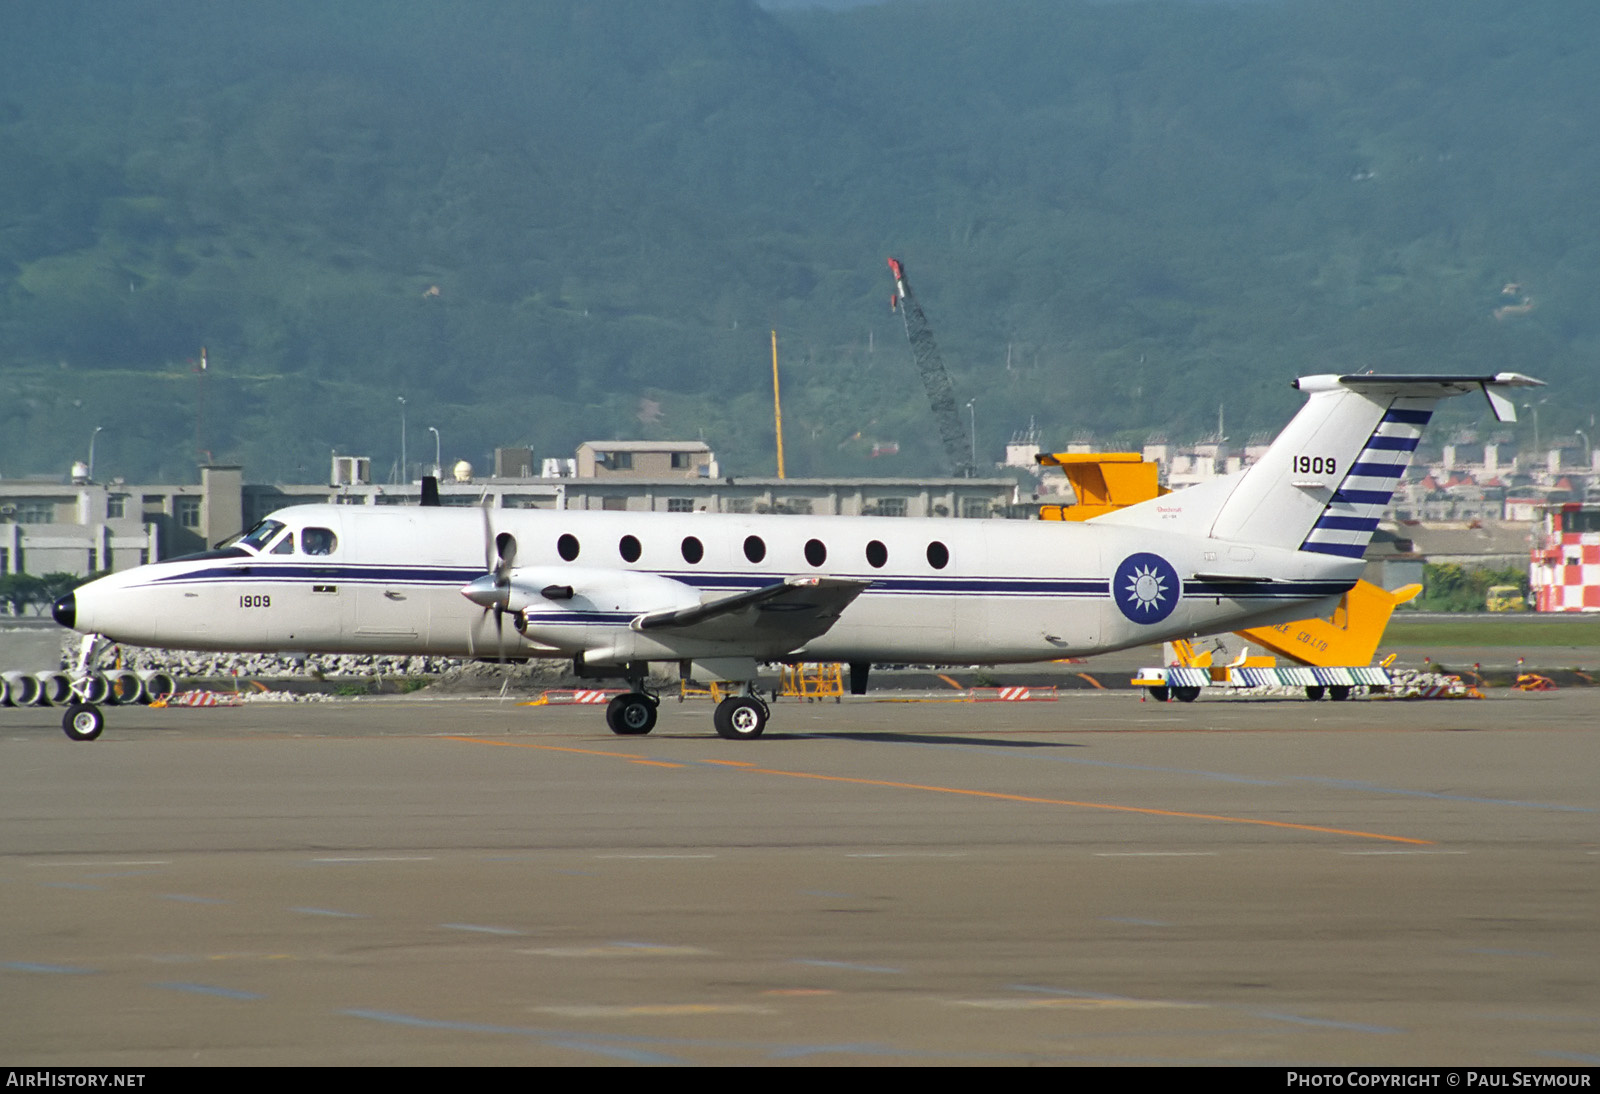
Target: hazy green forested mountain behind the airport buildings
[(543, 222)]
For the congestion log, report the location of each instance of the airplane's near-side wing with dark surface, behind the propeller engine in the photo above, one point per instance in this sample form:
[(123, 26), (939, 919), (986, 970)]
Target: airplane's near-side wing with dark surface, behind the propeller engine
[(794, 610)]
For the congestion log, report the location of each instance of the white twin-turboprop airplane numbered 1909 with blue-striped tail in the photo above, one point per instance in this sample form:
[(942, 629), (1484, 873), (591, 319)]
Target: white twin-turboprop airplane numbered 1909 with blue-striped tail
[(617, 591)]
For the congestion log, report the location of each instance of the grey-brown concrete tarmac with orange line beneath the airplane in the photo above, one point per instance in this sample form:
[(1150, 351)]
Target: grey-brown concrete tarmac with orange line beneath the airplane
[(1097, 880)]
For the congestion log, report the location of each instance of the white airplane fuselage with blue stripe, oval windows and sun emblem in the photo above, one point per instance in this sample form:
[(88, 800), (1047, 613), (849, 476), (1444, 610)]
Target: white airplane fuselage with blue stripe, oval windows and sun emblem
[(390, 581)]
